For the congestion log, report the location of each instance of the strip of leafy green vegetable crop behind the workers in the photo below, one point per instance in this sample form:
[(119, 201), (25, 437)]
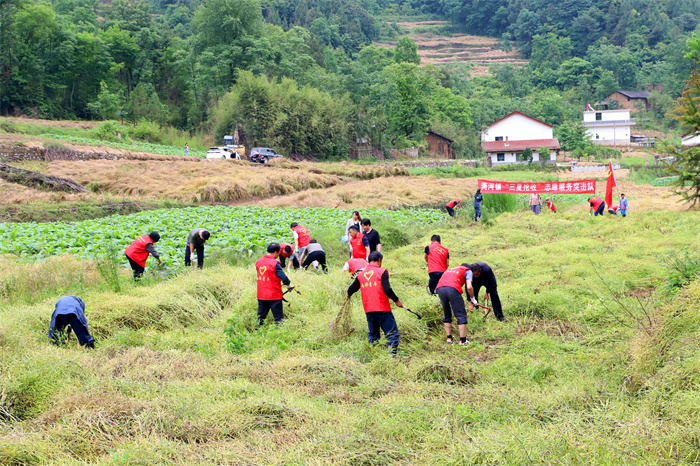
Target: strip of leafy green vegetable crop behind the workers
[(241, 229)]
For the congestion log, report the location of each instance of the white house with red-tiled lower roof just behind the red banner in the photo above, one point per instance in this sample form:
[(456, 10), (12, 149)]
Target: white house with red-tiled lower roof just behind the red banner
[(504, 140)]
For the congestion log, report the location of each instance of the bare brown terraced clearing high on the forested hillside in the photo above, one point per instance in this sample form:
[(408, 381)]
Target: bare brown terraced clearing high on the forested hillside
[(476, 51)]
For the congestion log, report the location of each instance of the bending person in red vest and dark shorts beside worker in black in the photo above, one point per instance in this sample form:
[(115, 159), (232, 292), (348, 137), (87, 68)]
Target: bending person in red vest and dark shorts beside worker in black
[(449, 289)]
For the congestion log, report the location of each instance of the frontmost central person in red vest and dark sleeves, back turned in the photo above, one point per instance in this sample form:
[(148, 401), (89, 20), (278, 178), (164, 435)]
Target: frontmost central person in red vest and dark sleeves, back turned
[(373, 283)]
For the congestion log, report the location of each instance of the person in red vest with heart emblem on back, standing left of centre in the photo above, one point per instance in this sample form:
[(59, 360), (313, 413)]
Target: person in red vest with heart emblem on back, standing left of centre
[(270, 278)]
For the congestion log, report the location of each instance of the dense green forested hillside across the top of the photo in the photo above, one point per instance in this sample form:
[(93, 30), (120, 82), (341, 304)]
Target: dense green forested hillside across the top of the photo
[(174, 63)]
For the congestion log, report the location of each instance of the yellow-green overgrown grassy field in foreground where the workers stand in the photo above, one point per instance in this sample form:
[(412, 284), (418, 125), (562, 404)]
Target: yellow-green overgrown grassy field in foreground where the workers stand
[(598, 362)]
